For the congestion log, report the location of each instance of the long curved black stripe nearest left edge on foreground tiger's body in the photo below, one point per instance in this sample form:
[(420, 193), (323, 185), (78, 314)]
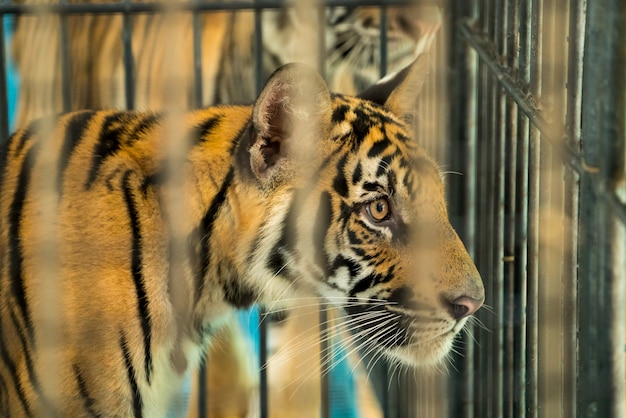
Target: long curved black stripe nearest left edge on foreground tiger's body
[(16, 258)]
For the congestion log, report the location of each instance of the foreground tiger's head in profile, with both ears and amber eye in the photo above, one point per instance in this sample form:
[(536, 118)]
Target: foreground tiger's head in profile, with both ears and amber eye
[(363, 214)]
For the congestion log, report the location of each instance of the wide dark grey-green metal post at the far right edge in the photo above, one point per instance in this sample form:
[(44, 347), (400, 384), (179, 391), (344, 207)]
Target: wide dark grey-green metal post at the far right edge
[(601, 382)]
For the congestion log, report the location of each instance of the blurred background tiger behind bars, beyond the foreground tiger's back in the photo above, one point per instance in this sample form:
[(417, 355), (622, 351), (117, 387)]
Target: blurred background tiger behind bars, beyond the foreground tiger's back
[(98, 81)]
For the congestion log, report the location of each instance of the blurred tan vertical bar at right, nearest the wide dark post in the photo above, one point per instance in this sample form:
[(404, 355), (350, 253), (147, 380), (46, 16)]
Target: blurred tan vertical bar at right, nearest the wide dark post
[(553, 53)]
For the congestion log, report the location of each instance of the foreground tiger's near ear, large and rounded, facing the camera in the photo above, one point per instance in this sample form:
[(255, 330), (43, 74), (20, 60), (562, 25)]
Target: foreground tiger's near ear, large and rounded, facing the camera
[(290, 116)]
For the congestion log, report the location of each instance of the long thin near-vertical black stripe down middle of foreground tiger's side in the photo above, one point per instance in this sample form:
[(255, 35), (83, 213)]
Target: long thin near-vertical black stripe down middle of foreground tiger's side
[(136, 269)]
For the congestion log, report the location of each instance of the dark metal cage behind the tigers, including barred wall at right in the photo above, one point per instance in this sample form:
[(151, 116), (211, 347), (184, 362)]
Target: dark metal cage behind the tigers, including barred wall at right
[(530, 101)]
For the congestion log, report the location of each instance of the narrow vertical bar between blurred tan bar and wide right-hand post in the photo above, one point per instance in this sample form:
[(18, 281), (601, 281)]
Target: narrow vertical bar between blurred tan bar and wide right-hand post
[(569, 279)]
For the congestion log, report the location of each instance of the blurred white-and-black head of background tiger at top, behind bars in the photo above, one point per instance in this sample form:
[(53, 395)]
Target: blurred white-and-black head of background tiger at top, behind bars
[(352, 39)]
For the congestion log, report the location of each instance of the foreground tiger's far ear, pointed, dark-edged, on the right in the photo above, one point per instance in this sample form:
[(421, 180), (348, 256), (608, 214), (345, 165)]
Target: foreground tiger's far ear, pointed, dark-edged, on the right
[(399, 92)]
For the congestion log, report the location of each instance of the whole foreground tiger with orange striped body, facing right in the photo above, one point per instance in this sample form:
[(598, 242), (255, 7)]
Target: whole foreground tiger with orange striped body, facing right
[(129, 237)]
